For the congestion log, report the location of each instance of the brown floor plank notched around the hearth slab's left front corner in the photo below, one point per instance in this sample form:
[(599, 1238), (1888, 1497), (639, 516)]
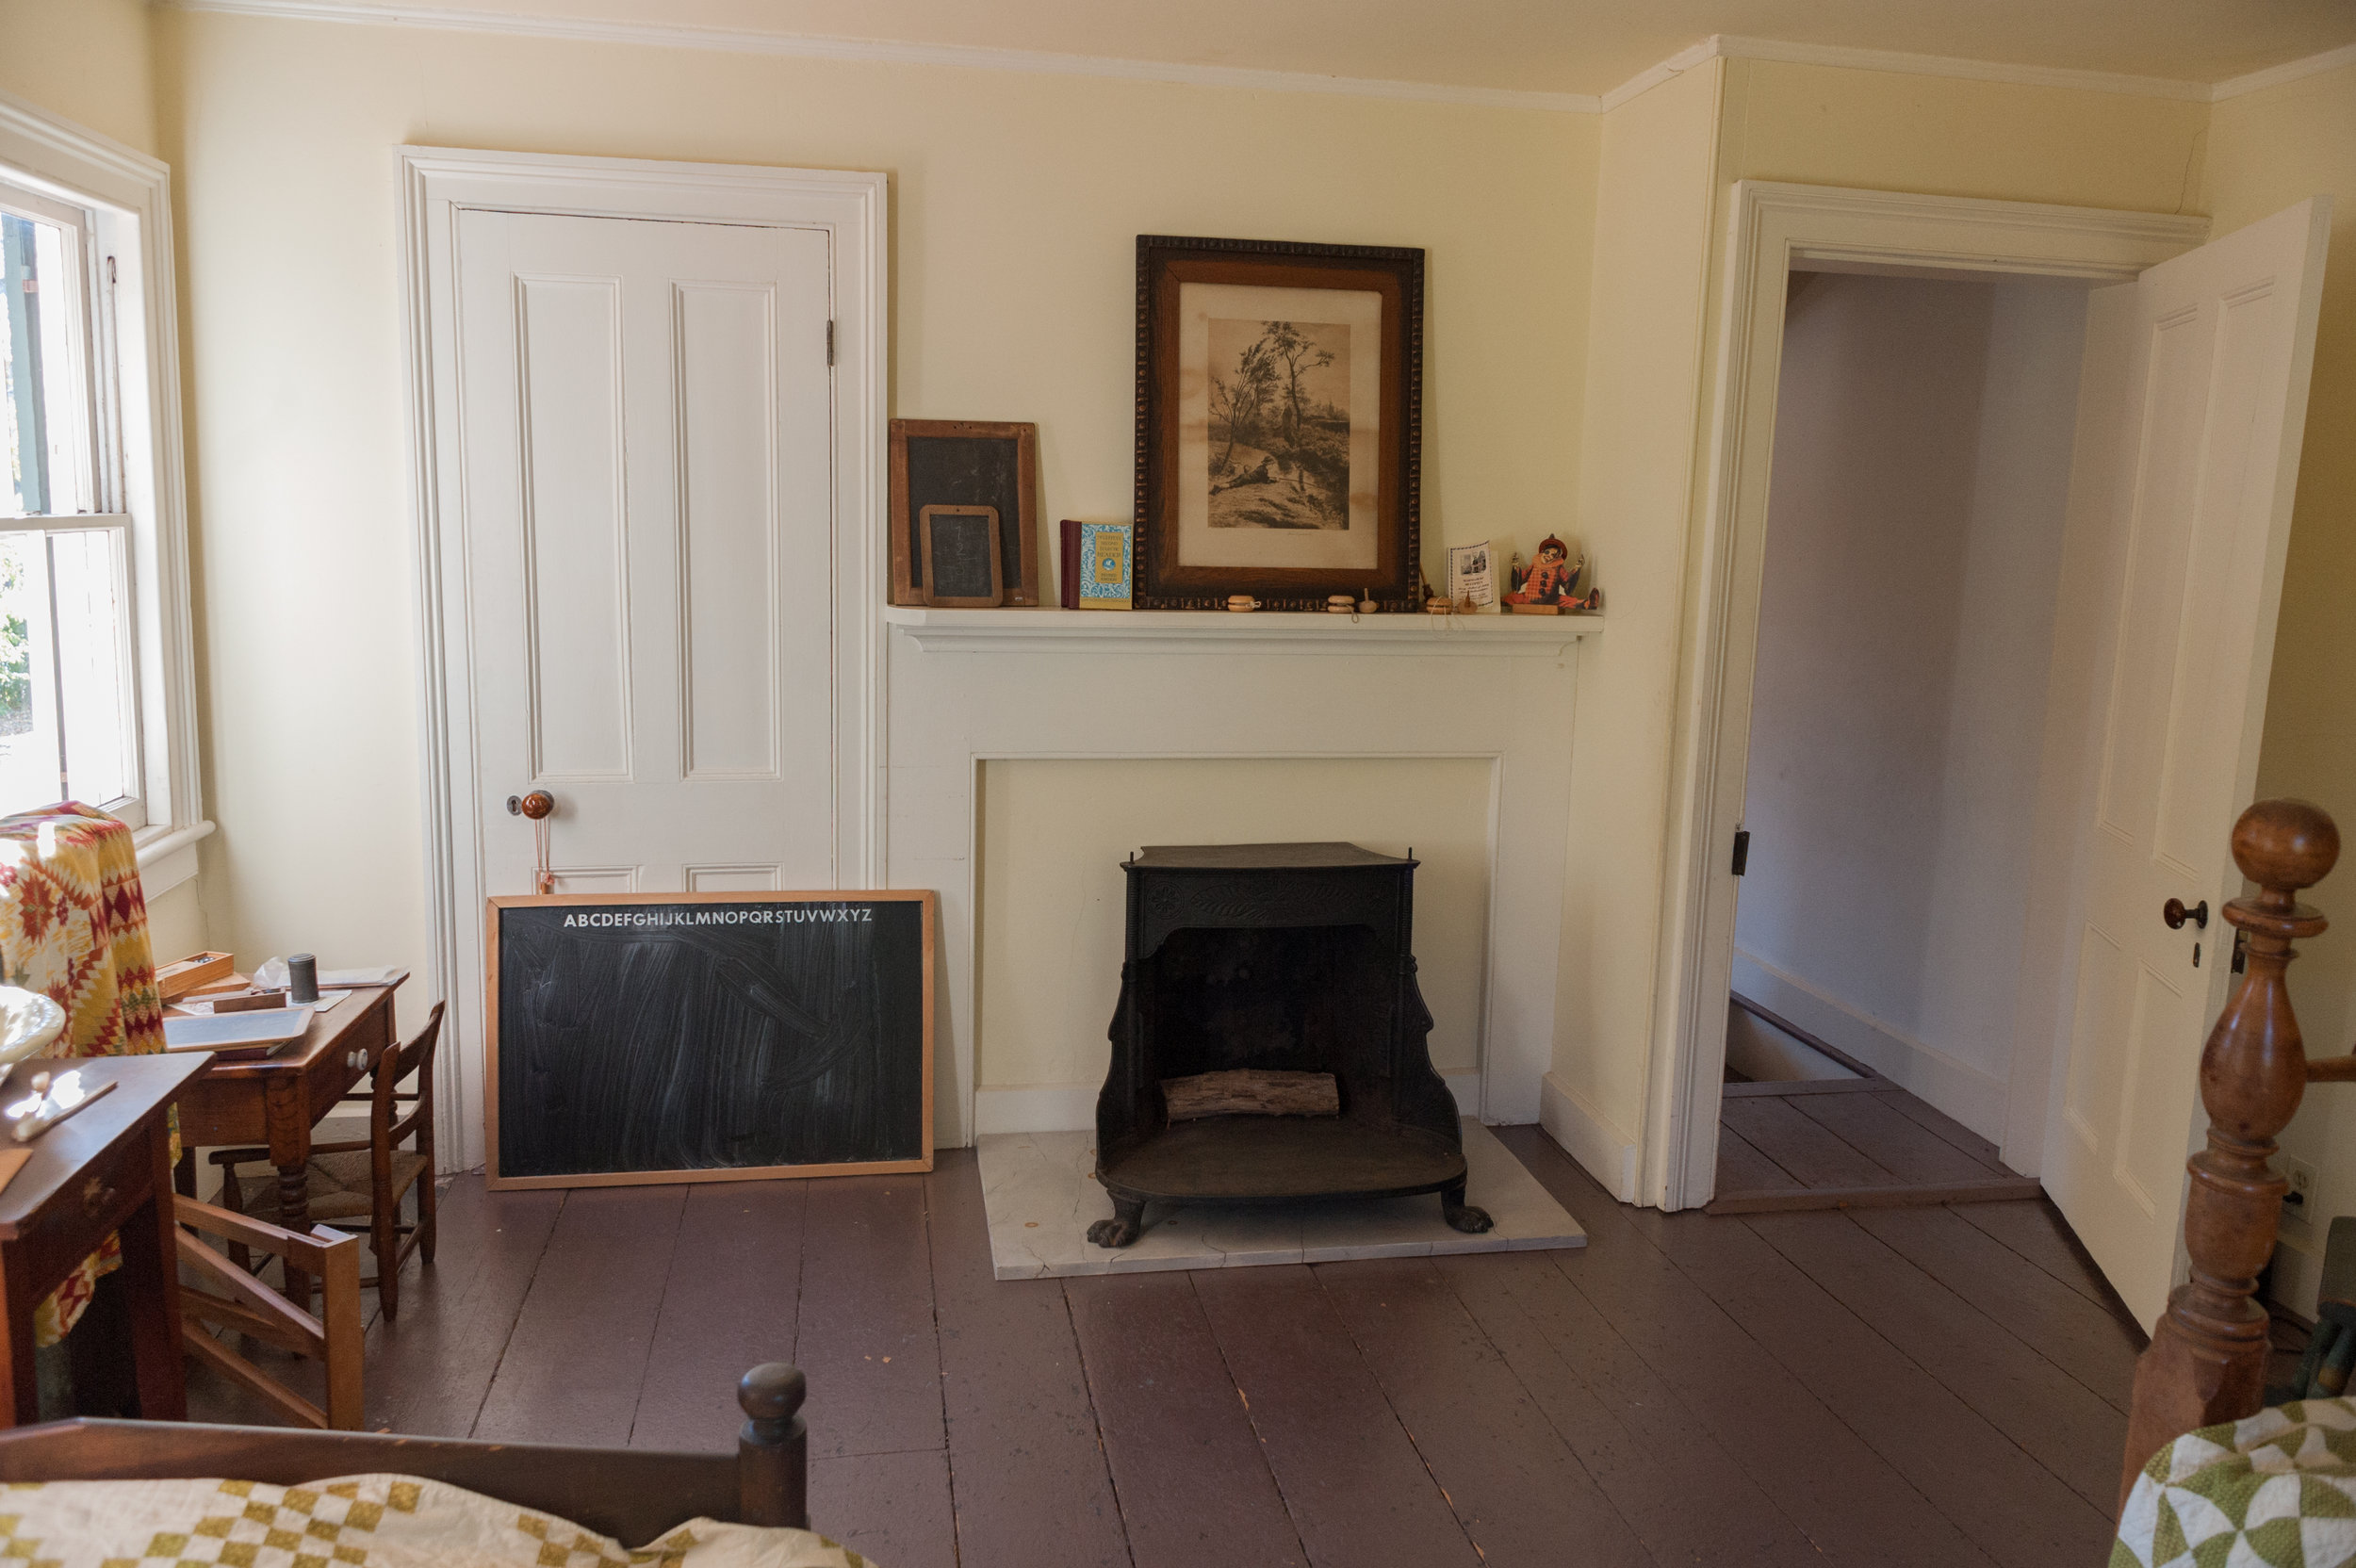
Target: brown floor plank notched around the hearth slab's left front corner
[(1031, 1480)]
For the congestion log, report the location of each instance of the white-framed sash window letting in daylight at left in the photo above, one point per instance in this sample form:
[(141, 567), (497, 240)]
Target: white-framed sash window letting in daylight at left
[(95, 656)]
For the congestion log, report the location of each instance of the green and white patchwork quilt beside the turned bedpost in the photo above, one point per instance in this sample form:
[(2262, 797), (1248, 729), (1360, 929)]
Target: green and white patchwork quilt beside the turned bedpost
[(2272, 1491)]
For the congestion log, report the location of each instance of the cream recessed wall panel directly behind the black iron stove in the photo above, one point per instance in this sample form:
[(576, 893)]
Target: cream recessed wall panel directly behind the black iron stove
[(1052, 886)]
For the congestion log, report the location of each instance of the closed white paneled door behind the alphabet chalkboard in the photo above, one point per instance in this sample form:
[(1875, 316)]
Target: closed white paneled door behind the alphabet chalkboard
[(649, 437)]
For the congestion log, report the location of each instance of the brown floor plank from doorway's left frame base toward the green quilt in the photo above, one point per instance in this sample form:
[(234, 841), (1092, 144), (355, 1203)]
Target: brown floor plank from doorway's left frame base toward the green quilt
[(2011, 1506)]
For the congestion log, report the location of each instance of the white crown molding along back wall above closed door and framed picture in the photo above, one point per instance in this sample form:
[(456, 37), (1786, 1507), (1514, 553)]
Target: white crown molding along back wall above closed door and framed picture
[(878, 51)]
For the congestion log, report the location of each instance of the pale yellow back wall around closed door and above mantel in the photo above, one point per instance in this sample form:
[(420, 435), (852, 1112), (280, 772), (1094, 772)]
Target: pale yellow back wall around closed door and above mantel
[(1012, 298)]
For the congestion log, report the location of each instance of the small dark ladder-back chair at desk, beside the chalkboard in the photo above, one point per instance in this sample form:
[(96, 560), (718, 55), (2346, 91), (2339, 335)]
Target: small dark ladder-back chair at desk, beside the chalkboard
[(364, 1181)]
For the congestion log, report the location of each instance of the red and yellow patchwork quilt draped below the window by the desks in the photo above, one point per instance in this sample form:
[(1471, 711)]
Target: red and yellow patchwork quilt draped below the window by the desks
[(74, 929)]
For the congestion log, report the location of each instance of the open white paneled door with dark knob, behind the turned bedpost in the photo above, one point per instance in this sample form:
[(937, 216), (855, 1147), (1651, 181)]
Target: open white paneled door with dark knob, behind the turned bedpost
[(2197, 376)]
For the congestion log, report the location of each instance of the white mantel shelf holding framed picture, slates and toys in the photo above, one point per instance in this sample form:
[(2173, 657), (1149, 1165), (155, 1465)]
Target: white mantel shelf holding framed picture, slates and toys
[(1262, 632)]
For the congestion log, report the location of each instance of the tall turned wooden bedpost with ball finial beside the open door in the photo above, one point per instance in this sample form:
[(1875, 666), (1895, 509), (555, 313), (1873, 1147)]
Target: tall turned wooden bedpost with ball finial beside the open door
[(2209, 1353)]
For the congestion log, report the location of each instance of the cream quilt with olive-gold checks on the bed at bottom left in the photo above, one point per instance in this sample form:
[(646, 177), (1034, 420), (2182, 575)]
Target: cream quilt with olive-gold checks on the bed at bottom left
[(359, 1522)]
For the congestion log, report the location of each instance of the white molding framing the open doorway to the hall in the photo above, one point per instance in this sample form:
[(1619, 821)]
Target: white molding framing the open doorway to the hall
[(1771, 230)]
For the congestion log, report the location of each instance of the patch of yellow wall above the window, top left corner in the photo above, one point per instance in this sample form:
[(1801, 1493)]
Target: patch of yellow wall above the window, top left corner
[(84, 60)]
